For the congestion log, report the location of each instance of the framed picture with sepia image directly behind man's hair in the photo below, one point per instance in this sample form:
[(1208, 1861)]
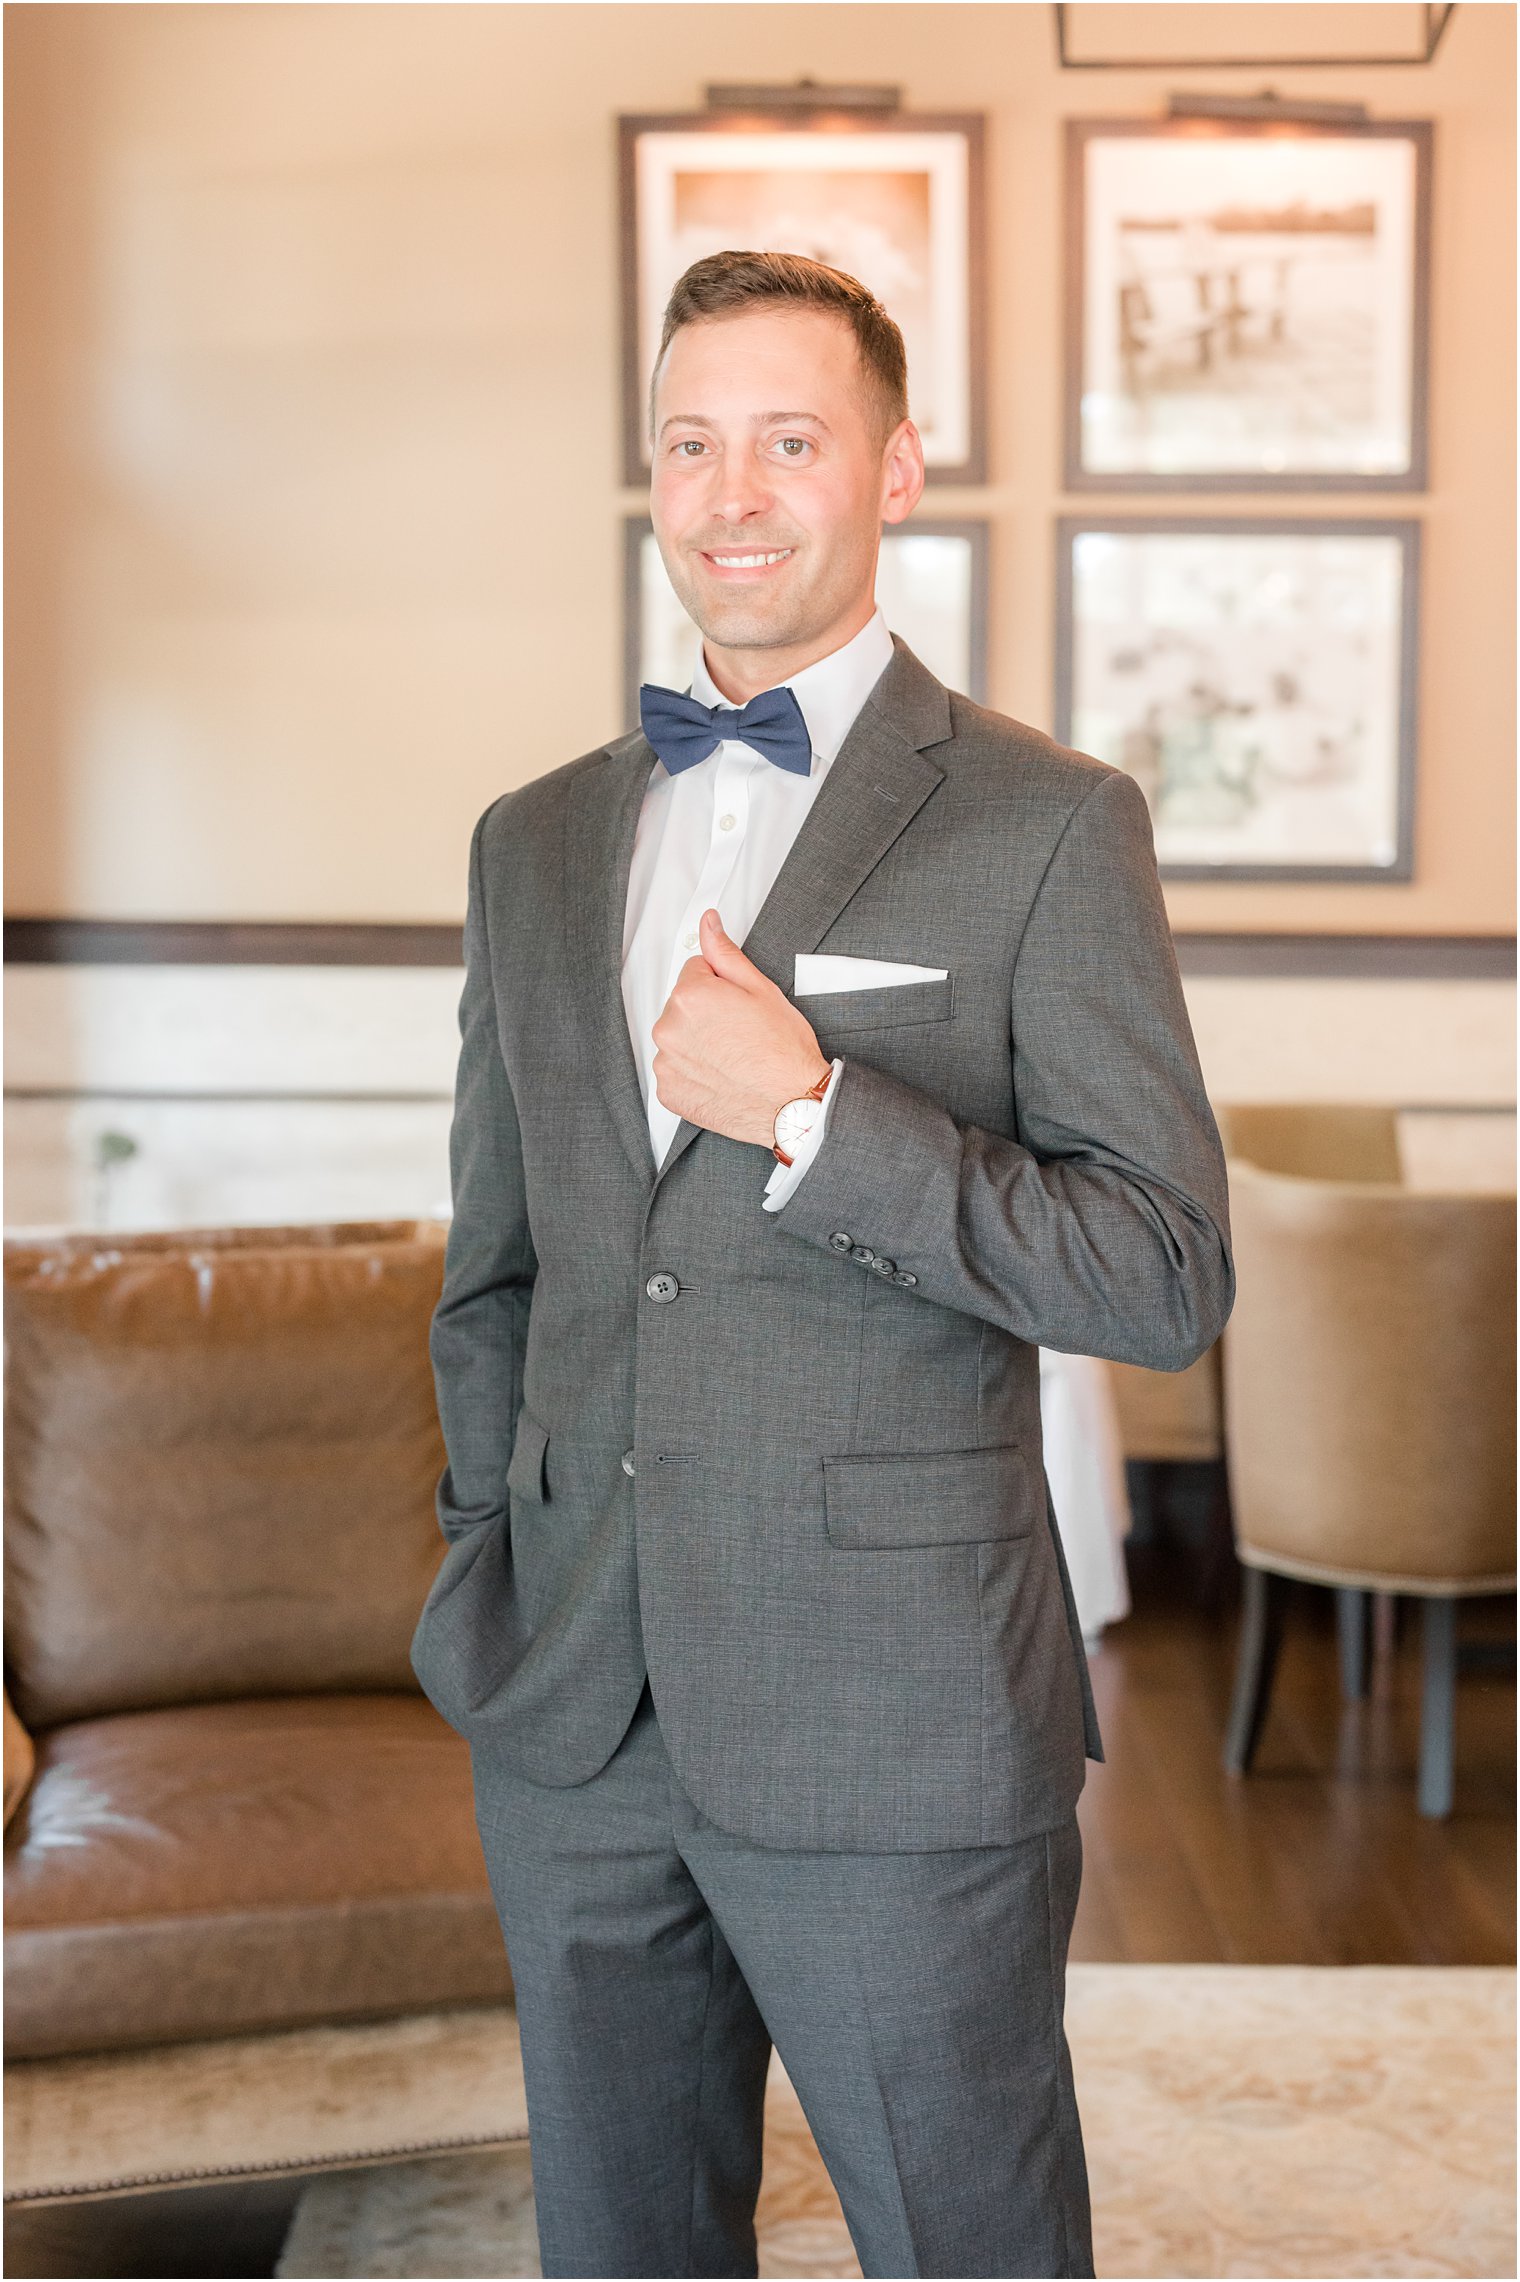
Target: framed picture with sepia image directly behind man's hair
[(896, 202)]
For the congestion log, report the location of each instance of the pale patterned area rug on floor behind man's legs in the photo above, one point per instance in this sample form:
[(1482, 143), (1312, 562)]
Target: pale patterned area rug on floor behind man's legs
[(1240, 2121)]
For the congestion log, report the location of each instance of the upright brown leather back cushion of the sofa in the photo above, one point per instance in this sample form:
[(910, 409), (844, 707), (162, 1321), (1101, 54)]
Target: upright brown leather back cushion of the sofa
[(220, 1464)]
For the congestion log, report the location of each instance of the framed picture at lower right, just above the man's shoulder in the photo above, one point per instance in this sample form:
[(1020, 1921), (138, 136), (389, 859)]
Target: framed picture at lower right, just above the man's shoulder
[(1256, 679)]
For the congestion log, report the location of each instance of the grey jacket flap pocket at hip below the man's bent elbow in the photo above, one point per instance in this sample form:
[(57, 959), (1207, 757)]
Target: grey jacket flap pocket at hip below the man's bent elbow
[(928, 1498)]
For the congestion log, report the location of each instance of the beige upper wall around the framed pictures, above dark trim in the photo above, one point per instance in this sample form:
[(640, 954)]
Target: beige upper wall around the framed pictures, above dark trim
[(314, 435)]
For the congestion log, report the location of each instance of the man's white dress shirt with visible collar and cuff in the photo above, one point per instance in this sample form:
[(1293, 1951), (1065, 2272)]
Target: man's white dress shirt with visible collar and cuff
[(718, 836)]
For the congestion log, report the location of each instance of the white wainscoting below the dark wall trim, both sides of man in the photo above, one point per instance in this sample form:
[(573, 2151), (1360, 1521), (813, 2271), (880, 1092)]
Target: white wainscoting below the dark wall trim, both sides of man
[(286, 1094)]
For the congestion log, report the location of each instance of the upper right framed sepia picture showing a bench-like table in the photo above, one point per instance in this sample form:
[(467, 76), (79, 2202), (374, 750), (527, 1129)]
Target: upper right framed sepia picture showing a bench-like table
[(1247, 305)]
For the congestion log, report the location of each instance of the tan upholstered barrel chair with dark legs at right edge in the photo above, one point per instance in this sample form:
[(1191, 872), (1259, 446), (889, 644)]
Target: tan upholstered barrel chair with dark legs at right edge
[(1368, 1375)]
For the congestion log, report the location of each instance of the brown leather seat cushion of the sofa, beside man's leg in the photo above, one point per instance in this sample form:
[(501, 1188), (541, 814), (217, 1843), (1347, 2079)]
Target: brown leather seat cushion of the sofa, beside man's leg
[(245, 1866)]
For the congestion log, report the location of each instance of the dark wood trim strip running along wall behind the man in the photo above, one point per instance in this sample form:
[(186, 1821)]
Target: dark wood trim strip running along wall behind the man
[(277, 944)]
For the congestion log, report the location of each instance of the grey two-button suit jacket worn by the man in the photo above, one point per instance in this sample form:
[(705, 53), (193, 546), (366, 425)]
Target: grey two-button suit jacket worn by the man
[(791, 1464)]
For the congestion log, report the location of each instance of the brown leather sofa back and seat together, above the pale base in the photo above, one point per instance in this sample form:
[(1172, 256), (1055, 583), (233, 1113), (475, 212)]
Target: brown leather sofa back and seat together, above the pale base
[(243, 1813)]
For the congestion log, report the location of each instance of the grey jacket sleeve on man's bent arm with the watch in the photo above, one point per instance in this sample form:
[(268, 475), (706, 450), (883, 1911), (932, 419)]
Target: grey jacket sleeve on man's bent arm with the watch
[(1103, 1227)]
